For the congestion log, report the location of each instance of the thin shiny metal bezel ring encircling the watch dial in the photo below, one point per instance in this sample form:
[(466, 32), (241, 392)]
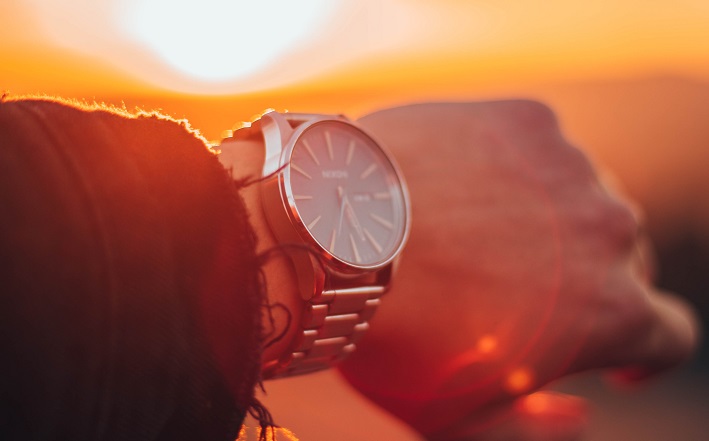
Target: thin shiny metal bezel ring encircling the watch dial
[(290, 206)]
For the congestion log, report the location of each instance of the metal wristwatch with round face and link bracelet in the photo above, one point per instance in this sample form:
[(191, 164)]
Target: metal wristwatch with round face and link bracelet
[(338, 206)]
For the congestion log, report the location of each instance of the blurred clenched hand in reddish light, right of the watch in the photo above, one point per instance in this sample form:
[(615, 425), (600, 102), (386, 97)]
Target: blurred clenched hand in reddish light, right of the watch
[(521, 269)]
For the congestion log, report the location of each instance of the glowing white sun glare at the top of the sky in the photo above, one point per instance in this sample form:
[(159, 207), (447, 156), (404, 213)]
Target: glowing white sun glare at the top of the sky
[(222, 40)]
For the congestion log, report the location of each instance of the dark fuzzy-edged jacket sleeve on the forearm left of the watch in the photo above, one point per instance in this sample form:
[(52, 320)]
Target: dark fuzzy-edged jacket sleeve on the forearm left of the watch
[(129, 290)]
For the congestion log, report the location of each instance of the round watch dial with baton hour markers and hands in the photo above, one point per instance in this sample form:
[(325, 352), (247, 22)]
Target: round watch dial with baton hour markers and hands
[(347, 194)]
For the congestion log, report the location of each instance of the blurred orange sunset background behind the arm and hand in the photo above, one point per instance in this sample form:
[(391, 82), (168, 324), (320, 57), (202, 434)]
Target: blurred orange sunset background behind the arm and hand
[(628, 79)]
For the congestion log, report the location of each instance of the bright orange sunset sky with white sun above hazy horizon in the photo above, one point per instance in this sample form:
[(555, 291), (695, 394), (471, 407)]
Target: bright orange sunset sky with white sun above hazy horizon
[(81, 47)]
